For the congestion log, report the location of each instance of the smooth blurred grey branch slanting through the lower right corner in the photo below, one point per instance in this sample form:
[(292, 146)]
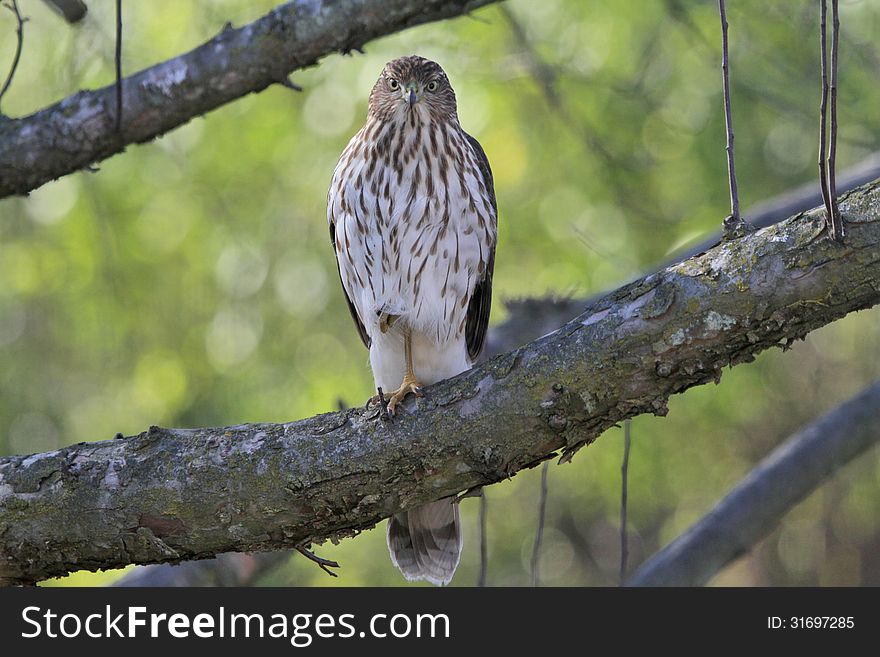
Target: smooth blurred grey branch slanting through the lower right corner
[(753, 509)]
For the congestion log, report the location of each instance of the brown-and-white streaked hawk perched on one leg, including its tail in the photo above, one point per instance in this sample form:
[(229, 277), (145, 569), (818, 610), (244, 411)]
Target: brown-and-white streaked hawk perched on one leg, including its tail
[(413, 221)]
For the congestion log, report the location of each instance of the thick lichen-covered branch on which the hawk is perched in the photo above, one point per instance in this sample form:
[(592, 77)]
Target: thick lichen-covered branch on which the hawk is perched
[(175, 494)]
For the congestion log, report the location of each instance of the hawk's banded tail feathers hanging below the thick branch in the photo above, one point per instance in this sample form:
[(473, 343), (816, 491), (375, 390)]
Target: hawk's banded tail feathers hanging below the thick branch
[(425, 542)]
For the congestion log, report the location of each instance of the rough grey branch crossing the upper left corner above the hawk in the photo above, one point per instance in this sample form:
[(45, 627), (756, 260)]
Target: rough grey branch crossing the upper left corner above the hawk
[(81, 129)]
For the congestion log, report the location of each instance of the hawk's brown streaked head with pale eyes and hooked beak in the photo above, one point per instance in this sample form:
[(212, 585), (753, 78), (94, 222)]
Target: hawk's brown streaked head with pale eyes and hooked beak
[(413, 86)]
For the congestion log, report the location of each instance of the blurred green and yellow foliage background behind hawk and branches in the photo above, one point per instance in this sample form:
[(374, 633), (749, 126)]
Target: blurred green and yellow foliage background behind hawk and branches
[(190, 281)]
